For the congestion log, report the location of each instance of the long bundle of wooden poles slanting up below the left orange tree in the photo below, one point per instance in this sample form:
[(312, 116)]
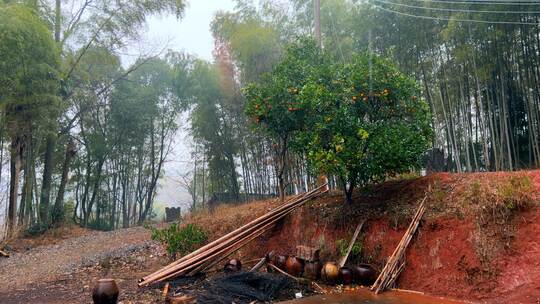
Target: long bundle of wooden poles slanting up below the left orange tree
[(216, 251)]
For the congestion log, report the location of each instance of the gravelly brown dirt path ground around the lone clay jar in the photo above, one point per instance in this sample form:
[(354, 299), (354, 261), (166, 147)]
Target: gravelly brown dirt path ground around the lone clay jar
[(66, 271)]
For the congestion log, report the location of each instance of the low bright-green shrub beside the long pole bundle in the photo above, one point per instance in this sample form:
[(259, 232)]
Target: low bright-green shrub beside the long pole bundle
[(180, 240)]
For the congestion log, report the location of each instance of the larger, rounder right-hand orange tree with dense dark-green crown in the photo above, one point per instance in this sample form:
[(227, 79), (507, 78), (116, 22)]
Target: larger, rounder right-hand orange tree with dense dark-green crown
[(365, 124)]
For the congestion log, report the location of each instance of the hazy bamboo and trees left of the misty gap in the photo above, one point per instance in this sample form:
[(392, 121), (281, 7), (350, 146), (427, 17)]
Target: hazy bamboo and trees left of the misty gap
[(74, 120)]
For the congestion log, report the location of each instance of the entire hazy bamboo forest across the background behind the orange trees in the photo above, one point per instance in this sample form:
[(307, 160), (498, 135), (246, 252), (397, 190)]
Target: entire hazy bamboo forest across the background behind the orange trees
[(101, 132)]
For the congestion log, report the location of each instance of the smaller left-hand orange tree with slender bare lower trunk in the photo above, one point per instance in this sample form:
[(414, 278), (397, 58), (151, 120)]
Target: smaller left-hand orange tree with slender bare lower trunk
[(275, 104)]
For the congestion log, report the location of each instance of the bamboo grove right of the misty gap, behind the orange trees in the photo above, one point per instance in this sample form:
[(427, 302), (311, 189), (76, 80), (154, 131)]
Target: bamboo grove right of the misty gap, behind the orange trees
[(480, 79)]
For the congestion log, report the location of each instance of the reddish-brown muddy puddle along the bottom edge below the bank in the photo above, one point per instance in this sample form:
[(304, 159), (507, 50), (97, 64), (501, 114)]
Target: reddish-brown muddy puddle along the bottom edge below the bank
[(364, 296)]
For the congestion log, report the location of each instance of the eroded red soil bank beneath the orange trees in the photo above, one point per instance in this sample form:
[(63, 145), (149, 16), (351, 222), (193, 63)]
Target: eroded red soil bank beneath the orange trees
[(478, 241)]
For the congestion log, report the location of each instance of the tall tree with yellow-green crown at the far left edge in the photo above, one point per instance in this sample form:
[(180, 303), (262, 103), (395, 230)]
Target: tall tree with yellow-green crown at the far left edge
[(28, 86)]
